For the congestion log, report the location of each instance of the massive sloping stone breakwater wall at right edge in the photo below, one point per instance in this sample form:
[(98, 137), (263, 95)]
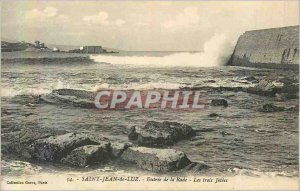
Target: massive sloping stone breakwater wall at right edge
[(268, 48)]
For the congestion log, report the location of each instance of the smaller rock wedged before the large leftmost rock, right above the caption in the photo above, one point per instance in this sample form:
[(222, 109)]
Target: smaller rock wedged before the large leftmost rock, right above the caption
[(89, 154)]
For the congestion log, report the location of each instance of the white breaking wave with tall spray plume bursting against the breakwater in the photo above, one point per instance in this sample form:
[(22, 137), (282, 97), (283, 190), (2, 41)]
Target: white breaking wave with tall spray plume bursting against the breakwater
[(216, 52)]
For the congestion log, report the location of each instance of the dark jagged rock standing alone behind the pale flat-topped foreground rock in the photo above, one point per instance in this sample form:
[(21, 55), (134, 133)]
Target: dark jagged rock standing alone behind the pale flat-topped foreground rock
[(160, 134)]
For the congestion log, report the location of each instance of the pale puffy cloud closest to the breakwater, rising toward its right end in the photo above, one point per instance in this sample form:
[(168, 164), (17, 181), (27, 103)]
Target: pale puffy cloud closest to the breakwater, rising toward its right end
[(188, 18)]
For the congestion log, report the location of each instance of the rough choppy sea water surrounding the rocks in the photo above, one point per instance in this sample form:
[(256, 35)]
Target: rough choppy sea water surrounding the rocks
[(241, 140)]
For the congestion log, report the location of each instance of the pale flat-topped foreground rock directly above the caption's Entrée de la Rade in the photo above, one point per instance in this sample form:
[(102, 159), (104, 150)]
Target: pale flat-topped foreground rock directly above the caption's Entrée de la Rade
[(156, 160)]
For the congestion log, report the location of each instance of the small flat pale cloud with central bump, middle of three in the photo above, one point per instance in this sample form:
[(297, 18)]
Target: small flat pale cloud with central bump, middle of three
[(102, 19)]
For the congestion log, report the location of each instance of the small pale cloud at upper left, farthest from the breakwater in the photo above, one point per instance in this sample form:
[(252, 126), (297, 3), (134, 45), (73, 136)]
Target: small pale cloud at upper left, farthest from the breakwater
[(48, 12)]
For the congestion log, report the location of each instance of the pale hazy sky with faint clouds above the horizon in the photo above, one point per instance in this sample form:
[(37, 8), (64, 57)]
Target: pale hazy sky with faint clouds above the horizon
[(131, 25)]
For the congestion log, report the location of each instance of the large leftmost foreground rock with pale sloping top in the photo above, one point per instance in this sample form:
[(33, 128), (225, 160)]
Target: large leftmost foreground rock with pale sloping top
[(55, 148)]
